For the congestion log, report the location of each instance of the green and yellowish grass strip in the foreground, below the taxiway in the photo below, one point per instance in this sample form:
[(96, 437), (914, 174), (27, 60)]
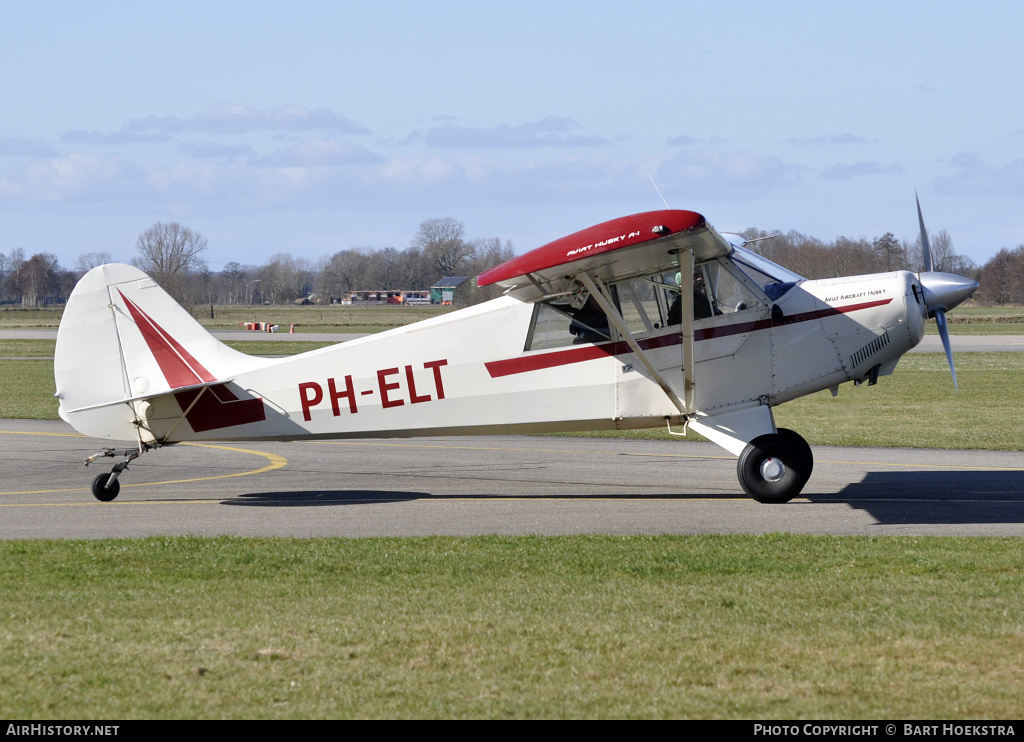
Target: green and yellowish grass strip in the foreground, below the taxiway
[(594, 627)]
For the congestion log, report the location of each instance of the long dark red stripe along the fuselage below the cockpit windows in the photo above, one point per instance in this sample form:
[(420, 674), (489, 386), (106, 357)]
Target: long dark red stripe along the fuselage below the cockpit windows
[(527, 364)]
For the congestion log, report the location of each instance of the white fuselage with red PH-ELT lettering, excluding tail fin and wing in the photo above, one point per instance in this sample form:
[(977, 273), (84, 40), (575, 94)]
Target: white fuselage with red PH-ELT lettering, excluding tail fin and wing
[(468, 373)]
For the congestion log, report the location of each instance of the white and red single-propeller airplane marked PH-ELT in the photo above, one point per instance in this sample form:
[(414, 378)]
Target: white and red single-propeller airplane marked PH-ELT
[(654, 320)]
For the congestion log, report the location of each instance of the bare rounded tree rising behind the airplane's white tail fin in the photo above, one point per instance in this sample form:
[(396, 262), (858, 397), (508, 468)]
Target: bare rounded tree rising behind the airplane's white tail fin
[(170, 253)]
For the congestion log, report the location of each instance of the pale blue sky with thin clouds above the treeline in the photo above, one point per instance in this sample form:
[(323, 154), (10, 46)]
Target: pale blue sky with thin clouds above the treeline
[(314, 127)]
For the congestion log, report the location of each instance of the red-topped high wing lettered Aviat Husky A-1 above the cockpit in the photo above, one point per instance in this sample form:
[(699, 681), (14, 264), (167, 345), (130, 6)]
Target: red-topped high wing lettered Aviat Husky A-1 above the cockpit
[(642, 244)]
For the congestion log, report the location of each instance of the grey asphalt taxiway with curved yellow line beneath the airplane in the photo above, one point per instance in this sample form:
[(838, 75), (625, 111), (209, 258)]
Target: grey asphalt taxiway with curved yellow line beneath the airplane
[(482, 486)]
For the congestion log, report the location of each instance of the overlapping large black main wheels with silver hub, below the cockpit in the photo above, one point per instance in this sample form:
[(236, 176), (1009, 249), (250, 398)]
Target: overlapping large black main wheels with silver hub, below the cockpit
[(775, 468)]
